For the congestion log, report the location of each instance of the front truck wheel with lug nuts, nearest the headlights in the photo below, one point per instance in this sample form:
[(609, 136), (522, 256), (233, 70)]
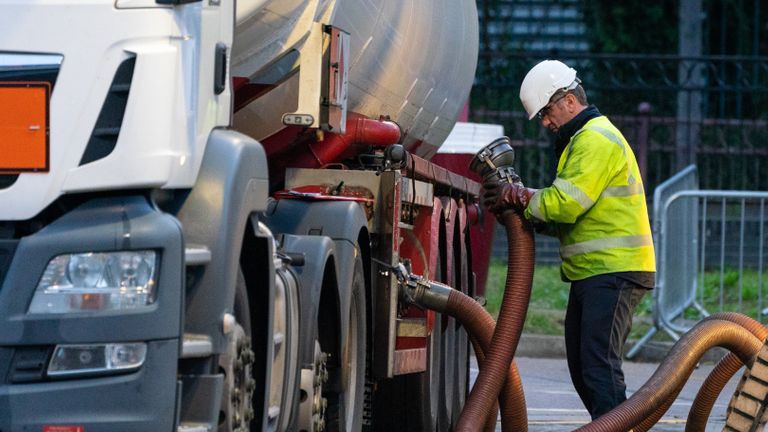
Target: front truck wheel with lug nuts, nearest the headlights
[(237, 364)]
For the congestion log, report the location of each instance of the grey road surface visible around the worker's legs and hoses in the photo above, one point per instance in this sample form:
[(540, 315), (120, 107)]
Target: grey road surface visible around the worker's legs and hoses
[(553, 404)]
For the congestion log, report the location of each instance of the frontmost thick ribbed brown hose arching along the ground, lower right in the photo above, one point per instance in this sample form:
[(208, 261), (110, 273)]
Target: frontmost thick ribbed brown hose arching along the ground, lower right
[(674, 371)]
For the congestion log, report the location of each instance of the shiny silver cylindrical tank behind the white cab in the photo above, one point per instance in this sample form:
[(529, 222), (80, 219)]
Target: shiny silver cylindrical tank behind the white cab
[(411, 60)]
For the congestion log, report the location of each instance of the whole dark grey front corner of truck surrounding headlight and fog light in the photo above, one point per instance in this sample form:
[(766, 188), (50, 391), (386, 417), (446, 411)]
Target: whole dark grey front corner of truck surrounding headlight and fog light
[(141, 400)]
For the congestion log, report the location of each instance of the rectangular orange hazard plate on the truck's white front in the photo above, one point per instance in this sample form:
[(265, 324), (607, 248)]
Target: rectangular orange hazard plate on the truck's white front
[(24, 127)]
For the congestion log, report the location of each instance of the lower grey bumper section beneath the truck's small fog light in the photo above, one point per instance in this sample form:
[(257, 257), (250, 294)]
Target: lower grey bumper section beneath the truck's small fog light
[(140, 401)]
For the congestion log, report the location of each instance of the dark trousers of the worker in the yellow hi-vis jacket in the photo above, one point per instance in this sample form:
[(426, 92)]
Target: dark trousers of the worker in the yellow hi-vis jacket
[(597, 324)]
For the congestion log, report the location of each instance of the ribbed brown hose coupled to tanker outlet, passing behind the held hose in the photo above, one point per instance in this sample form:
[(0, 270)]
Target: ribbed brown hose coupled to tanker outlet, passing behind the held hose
[(480, 325)]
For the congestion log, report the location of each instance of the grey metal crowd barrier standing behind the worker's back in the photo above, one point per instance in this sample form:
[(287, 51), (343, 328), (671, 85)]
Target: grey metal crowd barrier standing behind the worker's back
[(710, 250)]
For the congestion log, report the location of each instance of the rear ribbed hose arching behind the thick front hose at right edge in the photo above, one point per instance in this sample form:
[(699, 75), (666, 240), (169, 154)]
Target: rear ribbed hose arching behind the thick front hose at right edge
[(720, 375)]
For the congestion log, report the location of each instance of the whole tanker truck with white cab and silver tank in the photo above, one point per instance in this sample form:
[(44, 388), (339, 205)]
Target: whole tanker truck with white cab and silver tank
[(201, 204)]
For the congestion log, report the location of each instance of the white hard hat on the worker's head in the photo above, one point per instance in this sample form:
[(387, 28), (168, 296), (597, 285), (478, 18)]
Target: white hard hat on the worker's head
[(542, 81)]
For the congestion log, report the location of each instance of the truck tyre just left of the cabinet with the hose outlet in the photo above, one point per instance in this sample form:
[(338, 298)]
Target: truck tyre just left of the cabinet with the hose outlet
[(345, 410)]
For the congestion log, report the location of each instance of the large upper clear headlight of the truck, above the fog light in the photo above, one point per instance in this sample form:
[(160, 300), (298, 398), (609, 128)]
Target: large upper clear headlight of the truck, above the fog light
[(92, 282)]
